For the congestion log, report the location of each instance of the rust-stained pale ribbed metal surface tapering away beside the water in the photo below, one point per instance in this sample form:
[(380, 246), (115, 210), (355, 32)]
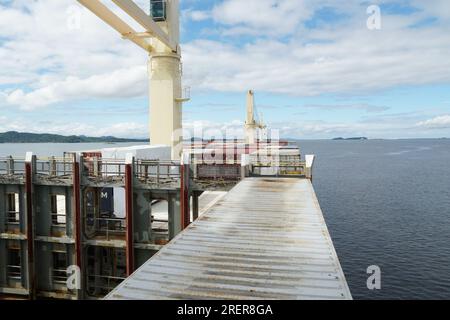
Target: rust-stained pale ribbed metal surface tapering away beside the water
[(266, 239)]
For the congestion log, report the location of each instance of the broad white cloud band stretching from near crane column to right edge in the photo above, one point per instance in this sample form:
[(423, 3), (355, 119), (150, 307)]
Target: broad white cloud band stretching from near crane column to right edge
[(350, 61)]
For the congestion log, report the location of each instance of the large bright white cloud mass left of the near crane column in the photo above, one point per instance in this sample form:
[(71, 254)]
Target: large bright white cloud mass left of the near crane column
[(43, 59)]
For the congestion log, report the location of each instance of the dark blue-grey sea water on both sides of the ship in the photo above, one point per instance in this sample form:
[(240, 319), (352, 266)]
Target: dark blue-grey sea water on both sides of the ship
[(386, 203)]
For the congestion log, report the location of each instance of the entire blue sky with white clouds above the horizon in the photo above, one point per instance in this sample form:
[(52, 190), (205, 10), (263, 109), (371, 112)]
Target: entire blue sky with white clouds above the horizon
[(317, 69)]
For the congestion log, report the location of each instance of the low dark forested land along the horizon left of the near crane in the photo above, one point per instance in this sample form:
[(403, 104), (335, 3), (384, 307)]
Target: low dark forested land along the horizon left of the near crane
[(25, 137)]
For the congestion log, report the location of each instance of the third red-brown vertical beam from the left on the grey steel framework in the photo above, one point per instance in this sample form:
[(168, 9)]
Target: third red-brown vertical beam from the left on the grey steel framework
[(129, 217)]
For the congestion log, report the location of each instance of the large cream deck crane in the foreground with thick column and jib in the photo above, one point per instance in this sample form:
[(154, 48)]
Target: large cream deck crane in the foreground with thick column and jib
[(161, 40)]
